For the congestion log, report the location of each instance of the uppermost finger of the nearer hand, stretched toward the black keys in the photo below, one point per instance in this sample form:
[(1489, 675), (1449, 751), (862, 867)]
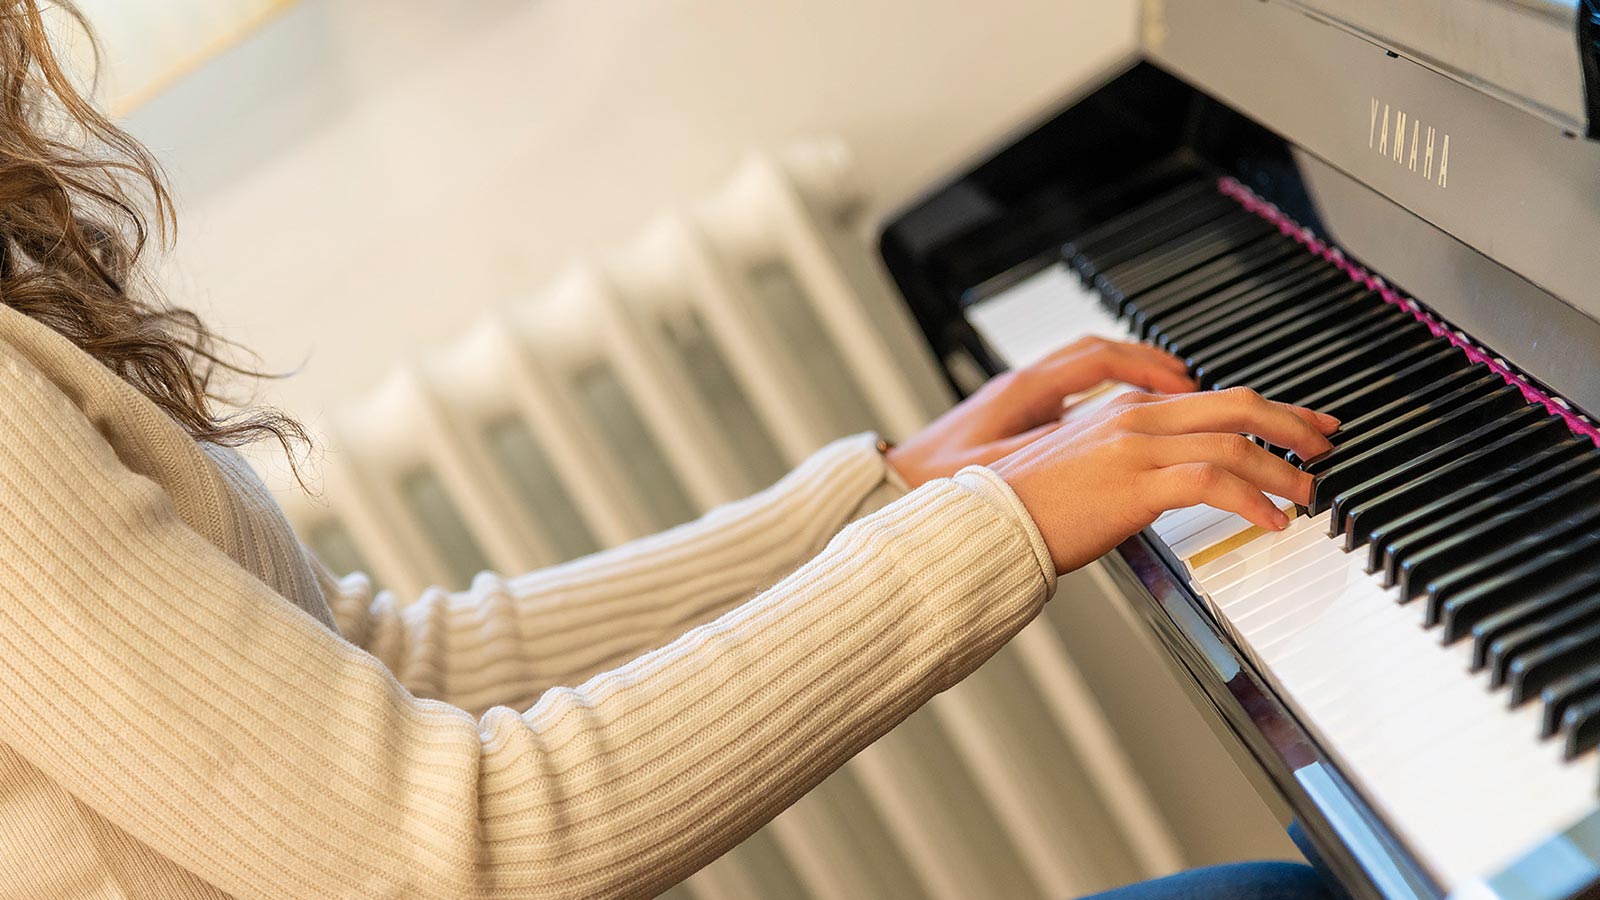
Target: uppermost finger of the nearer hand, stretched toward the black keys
[(1238, 411)]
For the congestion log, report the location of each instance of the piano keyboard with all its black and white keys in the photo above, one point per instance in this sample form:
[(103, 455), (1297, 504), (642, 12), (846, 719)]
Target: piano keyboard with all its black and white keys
[(1434, 617)]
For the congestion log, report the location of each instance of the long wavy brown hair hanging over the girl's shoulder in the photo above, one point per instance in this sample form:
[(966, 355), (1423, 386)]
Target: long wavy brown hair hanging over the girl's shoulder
[(81, 204)]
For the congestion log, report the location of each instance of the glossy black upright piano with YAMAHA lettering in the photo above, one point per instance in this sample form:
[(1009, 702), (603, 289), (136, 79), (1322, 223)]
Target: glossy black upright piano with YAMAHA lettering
[(1388, 212)]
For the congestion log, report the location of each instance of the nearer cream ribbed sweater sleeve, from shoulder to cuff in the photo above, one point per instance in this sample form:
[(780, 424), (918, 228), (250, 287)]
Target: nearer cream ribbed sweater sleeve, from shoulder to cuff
[(182, 699)]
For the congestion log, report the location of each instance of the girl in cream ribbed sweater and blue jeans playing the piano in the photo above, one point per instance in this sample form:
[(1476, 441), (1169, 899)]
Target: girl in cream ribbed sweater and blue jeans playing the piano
[(193, 707)]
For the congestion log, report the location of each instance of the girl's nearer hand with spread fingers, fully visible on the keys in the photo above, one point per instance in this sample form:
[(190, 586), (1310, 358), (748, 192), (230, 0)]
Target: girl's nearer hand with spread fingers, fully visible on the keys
[(1092, 486)]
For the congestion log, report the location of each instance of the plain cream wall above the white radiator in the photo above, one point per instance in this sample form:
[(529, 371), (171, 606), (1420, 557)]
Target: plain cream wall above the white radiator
[(362, 175)]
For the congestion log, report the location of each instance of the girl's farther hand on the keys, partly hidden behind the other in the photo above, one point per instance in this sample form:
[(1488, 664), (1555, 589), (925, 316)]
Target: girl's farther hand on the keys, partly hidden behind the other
[(1020, 406)]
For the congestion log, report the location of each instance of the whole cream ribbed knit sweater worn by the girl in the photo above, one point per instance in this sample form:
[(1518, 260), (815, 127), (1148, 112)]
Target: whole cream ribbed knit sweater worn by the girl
[(191, 707)]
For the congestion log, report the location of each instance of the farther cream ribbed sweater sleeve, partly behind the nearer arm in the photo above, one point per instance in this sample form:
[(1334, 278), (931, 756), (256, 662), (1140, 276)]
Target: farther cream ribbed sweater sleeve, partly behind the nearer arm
[(505, 641)]
